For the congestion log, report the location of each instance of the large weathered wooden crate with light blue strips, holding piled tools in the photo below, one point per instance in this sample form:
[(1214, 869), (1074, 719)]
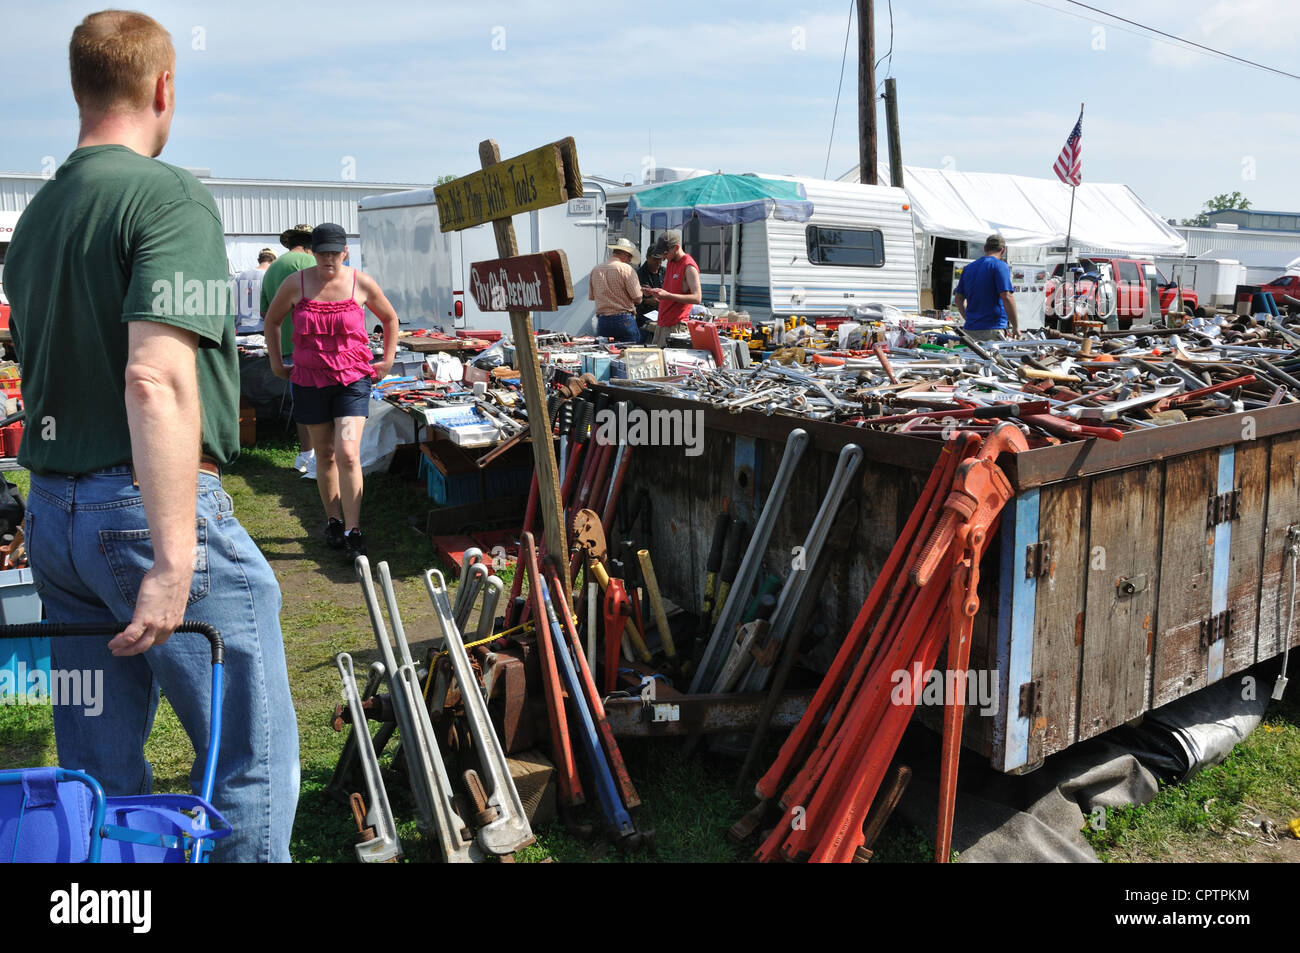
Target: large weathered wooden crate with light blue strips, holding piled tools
[(1117, 517)]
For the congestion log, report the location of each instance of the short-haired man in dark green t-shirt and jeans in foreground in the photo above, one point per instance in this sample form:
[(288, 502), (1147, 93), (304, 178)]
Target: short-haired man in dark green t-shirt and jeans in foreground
[(124, 323)]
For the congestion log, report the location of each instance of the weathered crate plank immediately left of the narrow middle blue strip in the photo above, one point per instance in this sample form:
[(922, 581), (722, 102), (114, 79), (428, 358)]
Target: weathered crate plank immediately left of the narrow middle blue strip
[(1185, 578)]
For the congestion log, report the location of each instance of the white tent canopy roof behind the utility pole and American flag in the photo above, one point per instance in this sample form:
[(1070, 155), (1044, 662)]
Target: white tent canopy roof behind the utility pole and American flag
[(972, 206)]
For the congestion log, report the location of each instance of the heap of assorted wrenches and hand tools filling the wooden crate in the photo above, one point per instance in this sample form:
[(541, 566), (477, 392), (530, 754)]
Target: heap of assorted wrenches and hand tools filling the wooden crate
[(1056, 387)]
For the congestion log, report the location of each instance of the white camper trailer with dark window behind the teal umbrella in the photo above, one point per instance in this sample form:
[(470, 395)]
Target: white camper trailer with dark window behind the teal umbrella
[(857, 249)]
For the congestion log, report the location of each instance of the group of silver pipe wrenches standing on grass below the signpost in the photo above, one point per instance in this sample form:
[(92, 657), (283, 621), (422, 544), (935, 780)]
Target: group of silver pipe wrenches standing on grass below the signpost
[(417, 699)]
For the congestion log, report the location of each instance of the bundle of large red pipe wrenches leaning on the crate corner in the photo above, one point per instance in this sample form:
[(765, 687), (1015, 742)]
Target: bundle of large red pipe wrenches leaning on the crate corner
[(833, 768)]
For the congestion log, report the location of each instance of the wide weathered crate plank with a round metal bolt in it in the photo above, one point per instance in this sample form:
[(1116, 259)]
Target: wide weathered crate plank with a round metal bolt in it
[(1124, 539)]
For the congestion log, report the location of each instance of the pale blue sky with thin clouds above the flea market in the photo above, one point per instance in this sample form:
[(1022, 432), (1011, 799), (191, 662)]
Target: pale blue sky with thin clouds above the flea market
[(404, 93)]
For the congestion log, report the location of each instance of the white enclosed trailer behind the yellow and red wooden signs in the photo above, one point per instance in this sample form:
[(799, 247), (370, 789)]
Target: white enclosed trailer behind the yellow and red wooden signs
[(426, 272)]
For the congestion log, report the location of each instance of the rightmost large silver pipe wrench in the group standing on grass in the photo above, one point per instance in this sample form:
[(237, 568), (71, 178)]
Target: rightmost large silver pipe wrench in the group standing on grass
[(509, 830)]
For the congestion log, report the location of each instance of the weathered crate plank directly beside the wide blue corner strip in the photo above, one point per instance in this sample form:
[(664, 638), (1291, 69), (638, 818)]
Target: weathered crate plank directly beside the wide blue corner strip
[(1060, 617)]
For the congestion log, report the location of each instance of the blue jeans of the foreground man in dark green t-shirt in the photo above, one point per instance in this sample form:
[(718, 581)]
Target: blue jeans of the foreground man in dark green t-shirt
[(90, 548)]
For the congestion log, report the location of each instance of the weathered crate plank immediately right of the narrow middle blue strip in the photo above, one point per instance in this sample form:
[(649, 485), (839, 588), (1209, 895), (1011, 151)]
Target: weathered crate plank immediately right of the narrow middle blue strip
[(1247, 556)]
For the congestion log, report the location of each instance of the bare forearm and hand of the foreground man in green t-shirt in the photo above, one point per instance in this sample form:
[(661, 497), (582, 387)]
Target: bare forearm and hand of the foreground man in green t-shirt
[(163, 417)]
